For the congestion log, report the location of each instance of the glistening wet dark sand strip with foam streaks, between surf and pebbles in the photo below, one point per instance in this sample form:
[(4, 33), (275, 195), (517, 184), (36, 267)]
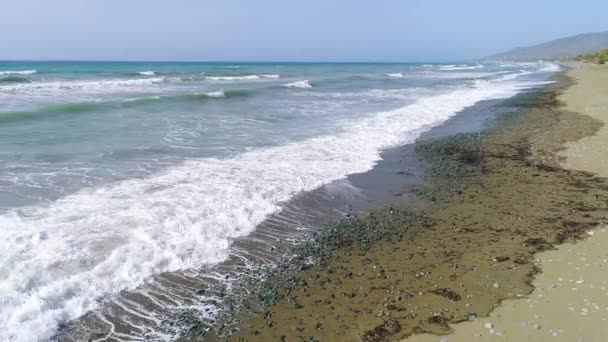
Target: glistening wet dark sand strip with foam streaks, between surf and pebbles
[(220, 288)]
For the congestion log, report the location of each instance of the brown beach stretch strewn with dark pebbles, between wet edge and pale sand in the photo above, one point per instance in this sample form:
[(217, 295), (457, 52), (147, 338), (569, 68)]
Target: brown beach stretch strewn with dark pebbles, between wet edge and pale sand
[(496, 199)]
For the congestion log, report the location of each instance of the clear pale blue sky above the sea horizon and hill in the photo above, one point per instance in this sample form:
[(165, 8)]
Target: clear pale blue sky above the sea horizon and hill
[(320, 30)]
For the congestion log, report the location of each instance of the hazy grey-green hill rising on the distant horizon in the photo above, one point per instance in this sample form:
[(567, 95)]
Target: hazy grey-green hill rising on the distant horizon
[(557, 49)]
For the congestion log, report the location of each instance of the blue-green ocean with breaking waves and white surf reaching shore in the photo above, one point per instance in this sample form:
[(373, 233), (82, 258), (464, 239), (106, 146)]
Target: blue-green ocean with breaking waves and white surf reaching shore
[(124, 185)]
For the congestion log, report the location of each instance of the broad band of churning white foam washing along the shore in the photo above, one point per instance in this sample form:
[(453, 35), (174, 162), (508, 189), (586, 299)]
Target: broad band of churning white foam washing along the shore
[(58, 260)]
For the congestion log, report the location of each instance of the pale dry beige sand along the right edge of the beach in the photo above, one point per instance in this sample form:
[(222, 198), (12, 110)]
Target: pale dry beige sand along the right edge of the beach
[(570, 300)]
